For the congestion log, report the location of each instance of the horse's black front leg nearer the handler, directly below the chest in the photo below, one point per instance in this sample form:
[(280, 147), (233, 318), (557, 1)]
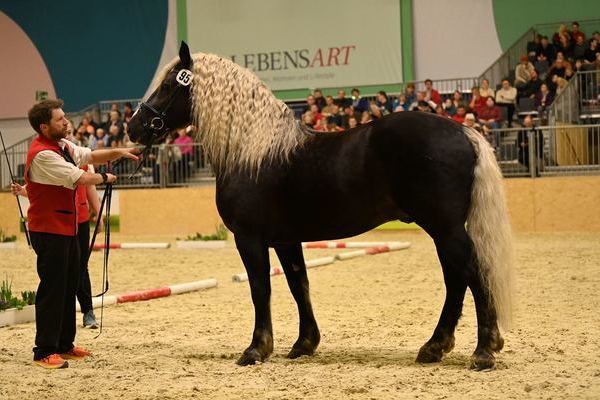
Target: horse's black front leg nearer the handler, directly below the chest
[(255, 255)]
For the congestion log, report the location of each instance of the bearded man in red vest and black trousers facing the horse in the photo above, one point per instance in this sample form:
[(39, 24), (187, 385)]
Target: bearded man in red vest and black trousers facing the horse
[(52, 174)]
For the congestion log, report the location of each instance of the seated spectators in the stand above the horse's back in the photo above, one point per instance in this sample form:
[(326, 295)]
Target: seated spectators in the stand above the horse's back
[(540, 76)]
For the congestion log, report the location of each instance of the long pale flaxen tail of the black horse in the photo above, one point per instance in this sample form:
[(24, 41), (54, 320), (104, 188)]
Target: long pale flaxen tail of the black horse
[(489, 228)]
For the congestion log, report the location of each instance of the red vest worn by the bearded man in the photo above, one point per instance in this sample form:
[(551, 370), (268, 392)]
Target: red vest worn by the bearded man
[(51, 208)]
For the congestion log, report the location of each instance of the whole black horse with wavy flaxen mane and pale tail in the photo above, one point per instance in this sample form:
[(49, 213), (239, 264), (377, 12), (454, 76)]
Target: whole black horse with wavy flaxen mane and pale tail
[(279, 183)]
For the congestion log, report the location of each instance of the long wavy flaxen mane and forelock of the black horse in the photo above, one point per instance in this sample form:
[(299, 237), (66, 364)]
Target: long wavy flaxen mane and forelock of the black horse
[(240, 122)]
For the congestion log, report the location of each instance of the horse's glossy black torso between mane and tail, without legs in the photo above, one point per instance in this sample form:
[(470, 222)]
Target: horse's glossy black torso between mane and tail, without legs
[(338, 185)]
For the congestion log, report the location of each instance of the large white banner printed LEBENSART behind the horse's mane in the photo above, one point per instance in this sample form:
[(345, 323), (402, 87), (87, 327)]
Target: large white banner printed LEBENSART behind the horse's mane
[(277, 40)]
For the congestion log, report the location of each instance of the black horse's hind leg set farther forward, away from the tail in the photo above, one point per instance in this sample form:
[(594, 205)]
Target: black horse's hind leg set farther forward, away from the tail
[(454, 253)]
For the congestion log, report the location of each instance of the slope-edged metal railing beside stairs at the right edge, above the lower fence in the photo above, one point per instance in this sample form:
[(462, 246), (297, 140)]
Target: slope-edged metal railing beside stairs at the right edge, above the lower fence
[(579, 101)]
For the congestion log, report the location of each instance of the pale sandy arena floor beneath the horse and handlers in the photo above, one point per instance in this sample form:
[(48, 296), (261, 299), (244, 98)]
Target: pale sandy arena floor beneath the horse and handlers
[(374, 313)]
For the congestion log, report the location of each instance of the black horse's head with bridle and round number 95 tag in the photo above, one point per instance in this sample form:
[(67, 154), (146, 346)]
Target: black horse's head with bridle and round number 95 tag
[(168, 107)]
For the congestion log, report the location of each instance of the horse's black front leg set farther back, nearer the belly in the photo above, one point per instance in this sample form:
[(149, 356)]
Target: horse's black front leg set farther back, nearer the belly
[(293, 264)]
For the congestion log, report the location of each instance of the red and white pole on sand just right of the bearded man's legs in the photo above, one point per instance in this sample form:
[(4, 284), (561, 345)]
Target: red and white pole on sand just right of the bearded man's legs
[(156, 293)]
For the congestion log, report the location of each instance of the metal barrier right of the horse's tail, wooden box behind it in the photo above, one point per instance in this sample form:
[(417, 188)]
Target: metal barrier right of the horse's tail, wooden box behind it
[(549, 150)]
